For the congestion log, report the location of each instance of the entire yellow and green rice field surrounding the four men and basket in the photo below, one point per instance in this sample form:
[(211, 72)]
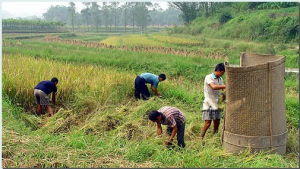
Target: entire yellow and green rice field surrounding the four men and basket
[(98, 123)]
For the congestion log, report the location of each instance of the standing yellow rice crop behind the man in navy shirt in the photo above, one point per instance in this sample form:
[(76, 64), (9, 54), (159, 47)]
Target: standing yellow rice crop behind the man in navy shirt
[(84, 83)]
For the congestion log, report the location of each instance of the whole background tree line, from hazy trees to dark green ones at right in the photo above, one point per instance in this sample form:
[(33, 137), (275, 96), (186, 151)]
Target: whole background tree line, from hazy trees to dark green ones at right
[(134, 16)]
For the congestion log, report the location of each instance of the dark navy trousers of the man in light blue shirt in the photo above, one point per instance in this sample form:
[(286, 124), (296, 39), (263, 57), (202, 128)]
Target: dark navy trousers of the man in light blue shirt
[(141, 88)]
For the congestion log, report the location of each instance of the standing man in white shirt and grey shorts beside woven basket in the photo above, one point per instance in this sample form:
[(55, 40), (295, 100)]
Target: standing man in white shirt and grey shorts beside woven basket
[(212, 84)]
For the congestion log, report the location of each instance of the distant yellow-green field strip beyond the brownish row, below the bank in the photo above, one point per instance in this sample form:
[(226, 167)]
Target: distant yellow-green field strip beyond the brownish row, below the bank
[(207, 47)]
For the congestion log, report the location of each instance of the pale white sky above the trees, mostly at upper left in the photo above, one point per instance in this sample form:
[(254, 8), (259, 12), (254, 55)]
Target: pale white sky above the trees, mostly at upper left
[(25, 9)]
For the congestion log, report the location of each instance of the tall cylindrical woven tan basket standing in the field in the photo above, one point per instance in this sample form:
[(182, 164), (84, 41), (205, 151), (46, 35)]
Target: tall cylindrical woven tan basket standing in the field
[(255, 115)]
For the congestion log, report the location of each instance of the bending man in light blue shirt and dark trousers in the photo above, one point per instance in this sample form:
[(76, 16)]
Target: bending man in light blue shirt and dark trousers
[(141, 88)]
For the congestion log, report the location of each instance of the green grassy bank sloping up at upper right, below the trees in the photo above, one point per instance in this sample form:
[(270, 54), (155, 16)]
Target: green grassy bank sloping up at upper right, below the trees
[(268, 25)]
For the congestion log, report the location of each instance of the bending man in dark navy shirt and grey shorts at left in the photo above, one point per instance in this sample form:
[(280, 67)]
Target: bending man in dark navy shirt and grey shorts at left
[(41, 92)]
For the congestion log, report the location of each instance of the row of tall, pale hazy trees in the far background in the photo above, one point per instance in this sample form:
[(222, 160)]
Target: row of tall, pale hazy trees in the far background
[(114, 16)]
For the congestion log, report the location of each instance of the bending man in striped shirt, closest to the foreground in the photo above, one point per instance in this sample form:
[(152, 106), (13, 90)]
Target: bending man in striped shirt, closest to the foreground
[(175, 120)]
